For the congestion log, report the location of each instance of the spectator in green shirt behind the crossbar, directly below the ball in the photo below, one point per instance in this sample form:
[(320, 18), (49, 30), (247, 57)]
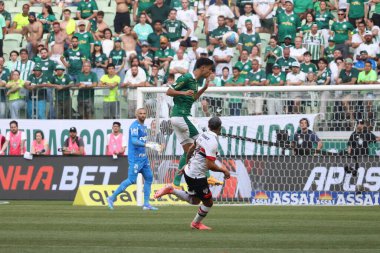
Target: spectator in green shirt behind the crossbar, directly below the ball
[(235, 104)]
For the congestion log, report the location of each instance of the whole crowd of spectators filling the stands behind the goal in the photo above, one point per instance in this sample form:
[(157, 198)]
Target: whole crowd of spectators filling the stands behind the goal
[(149, 43)]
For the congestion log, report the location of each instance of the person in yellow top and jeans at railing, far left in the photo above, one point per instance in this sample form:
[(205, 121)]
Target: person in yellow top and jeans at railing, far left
[(15, 98)]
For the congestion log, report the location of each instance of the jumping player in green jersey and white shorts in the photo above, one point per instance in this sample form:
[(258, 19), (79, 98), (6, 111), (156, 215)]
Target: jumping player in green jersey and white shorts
[(185, 92)]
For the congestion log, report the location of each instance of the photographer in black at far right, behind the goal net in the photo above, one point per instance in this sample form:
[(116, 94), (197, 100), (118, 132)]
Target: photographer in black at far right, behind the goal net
[(360, 139)]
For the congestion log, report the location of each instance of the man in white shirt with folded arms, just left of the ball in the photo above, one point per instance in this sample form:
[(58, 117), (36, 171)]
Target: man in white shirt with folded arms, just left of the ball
[(222, 57)]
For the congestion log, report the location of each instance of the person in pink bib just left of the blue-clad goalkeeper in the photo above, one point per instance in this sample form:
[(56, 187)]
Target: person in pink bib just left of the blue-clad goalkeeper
[(116, 142)]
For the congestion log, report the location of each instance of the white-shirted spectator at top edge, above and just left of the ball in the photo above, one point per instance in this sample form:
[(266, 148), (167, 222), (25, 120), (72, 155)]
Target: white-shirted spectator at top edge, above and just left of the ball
[(212, 14)]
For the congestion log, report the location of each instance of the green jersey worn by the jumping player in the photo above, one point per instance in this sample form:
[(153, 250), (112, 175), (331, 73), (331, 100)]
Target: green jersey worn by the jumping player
[(183, 104)]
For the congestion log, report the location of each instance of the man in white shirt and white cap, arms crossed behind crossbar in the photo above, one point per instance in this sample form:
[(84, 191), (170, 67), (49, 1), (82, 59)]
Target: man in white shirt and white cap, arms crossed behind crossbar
[(295, 78)]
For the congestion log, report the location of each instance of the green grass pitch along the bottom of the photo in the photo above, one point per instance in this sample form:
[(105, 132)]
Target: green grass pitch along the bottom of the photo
[(57, 226)]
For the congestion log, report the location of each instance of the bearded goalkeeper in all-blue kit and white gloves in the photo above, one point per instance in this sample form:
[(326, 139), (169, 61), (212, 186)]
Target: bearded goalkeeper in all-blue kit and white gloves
[(138, 160)]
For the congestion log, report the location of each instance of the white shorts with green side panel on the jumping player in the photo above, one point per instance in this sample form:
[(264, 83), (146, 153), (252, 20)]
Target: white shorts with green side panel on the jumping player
[(186, 129)]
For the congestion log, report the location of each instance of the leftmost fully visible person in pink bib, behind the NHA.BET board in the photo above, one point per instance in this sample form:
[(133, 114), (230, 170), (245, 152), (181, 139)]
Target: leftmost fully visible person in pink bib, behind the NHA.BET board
[(15, 139)]
